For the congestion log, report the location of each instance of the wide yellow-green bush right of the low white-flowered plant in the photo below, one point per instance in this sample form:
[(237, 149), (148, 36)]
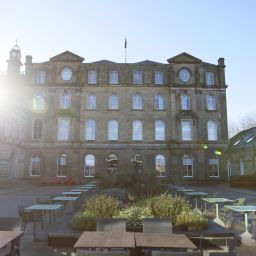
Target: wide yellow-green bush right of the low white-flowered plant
[(168, 206)]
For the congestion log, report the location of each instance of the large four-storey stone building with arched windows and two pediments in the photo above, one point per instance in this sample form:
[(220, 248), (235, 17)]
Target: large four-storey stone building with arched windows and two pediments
[(104, 116)]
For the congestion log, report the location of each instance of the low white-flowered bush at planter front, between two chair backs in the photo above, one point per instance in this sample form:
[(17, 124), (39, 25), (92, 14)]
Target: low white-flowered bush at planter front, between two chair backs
[(134, 216)]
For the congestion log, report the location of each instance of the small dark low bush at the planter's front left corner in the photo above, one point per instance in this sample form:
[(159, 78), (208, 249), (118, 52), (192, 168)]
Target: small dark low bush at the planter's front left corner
[(83, 223)]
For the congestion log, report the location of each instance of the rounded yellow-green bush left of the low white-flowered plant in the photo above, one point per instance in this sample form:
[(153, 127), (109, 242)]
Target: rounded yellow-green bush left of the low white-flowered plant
[(101, 207)]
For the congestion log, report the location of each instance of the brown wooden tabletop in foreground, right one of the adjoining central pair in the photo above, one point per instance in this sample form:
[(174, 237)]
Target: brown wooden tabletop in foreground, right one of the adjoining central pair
[(163, 240)]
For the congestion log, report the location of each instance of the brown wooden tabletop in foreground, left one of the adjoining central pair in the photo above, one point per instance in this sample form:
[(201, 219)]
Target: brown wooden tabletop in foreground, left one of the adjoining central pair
[(96, 239)]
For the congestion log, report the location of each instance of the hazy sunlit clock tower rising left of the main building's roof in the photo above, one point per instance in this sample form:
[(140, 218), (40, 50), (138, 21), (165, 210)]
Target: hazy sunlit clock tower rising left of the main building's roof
[(14, 62)]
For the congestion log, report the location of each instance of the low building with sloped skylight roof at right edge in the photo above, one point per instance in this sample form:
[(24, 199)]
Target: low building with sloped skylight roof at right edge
[(240, 155)]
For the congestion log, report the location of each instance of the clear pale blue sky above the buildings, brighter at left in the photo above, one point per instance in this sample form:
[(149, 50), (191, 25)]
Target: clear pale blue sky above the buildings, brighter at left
[(155, 30)]
